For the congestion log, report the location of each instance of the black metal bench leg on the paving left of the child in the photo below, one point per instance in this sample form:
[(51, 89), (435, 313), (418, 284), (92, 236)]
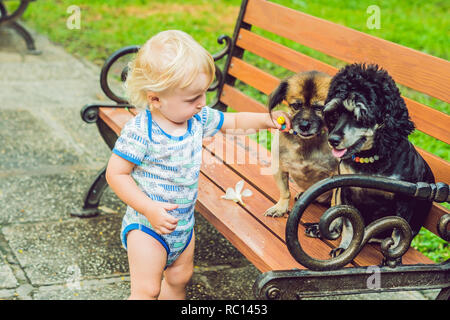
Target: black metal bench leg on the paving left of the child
[(93, 196)]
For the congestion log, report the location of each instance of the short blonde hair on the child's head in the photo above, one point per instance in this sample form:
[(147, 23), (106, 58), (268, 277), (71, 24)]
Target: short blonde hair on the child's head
[(170, 59)]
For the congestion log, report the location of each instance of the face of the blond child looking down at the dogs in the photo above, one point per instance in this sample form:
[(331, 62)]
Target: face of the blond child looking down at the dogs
[(179, 105)]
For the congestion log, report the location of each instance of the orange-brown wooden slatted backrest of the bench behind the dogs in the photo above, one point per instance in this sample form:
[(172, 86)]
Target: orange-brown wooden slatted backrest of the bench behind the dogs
[(411, 68)]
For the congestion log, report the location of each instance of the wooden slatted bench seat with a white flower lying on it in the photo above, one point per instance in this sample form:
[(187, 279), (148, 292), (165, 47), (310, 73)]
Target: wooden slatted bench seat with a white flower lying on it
[(260, 239)]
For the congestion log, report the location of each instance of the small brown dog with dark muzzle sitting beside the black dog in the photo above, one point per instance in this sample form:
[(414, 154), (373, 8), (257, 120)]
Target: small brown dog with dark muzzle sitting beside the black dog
[(304, 153)]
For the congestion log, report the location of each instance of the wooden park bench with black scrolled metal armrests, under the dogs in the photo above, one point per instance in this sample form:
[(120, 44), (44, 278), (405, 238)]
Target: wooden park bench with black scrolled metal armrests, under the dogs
[(272, 244)]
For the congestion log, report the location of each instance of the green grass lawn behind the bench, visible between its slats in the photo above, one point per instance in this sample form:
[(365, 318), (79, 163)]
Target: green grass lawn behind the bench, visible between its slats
[(109, 25)]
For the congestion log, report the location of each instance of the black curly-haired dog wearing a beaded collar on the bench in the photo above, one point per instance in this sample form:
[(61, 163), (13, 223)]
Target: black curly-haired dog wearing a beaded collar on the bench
[(368, 125)]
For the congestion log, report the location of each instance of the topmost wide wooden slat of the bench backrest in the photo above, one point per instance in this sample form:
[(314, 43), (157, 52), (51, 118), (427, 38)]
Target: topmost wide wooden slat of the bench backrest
[(409, 67)]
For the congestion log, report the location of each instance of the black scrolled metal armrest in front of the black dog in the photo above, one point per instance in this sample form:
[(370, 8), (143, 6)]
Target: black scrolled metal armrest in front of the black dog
[(438, 192)]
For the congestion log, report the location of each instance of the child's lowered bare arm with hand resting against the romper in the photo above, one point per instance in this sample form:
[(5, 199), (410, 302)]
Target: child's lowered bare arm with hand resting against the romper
[(118, 175)]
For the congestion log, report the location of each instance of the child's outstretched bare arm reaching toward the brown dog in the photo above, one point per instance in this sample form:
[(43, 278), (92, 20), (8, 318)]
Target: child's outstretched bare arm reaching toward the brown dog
[(253, 120)]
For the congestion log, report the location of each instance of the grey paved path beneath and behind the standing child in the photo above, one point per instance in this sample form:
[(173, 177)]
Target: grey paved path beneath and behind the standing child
[(48, 158)]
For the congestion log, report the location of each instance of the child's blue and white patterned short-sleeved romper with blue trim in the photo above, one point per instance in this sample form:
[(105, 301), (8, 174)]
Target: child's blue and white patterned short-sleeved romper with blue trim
[(167, 170)]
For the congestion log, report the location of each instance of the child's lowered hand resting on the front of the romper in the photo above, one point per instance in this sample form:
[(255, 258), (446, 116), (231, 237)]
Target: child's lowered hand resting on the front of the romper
[(161, 221)]
